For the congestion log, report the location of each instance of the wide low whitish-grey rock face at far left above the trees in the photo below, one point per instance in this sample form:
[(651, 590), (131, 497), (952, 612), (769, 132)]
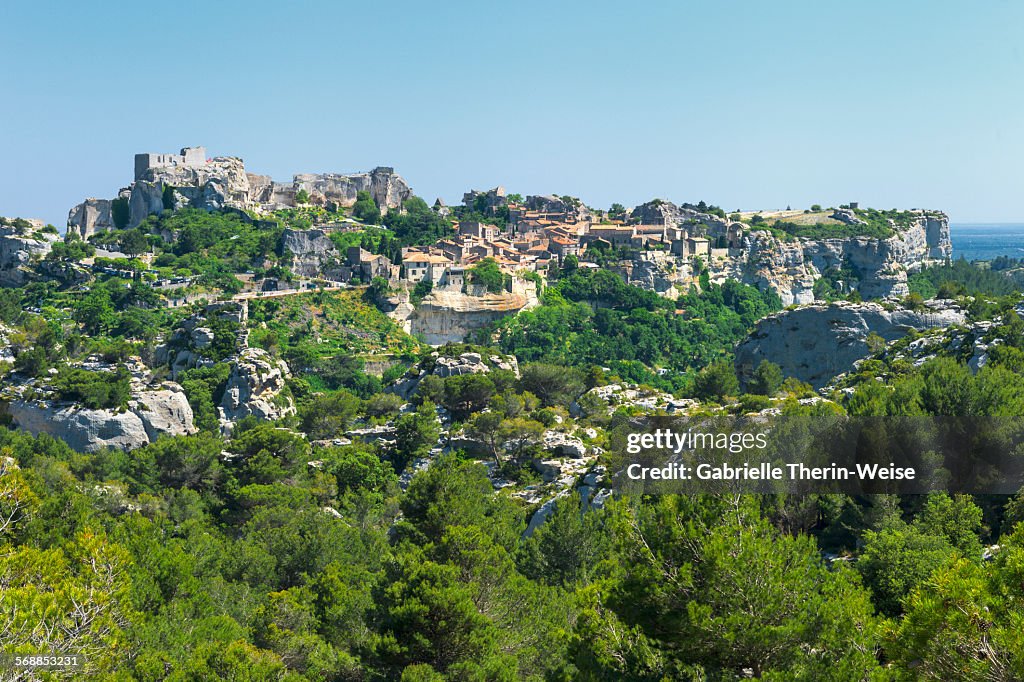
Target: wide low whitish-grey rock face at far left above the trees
[(150, 415)]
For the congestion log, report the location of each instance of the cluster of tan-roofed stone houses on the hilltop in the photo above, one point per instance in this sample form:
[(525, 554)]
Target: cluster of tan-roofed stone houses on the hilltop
[(539, 232)]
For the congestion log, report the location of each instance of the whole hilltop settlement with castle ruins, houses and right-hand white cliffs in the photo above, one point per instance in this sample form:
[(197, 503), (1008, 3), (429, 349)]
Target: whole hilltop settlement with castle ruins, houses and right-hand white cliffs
[(658, 245)]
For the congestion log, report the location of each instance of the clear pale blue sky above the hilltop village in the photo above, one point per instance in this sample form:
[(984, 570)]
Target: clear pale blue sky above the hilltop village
[(743, 104)]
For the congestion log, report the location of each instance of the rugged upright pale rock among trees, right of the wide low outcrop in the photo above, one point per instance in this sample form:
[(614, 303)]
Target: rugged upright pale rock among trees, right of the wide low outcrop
[(255, 389)]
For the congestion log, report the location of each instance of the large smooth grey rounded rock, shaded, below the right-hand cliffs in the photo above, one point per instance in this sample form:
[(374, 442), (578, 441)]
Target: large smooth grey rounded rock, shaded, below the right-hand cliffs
[(815, 344)]
